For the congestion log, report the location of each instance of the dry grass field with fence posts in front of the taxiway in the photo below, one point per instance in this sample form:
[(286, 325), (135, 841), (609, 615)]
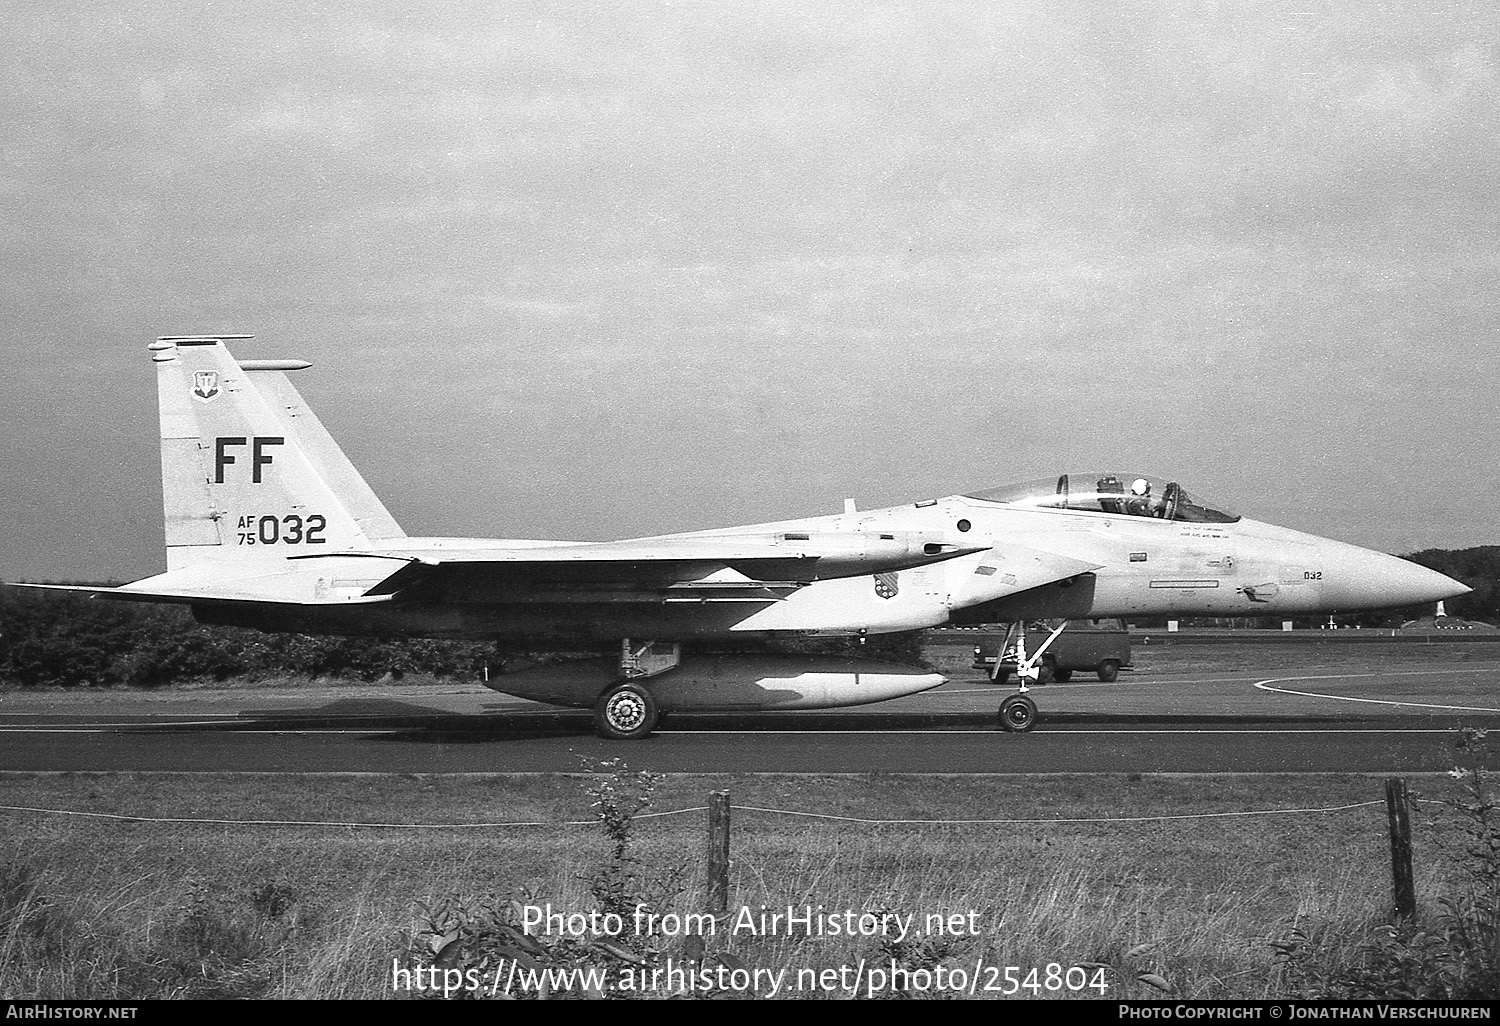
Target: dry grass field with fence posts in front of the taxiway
[(104, 908)]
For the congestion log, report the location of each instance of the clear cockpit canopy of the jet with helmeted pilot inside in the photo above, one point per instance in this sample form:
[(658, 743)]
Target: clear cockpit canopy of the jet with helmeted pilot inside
[(1112, 493)]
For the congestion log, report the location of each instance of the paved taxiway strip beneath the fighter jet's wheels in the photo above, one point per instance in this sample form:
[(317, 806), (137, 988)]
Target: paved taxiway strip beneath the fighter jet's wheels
[(1312, 719)]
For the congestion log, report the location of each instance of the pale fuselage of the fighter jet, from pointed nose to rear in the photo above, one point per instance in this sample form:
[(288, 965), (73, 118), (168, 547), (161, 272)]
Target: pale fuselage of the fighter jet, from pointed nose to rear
[(1127, 566)]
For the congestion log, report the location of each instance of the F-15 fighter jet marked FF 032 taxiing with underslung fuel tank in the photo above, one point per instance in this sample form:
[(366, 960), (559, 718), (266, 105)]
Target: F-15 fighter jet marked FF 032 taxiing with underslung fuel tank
[(269, 526)]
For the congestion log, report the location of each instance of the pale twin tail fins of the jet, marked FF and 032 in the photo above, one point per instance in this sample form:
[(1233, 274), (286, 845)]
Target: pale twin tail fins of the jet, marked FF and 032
[(247, 469)]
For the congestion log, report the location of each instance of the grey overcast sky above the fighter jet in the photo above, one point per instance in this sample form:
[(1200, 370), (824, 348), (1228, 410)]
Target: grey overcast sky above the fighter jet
[(605, 271)]
